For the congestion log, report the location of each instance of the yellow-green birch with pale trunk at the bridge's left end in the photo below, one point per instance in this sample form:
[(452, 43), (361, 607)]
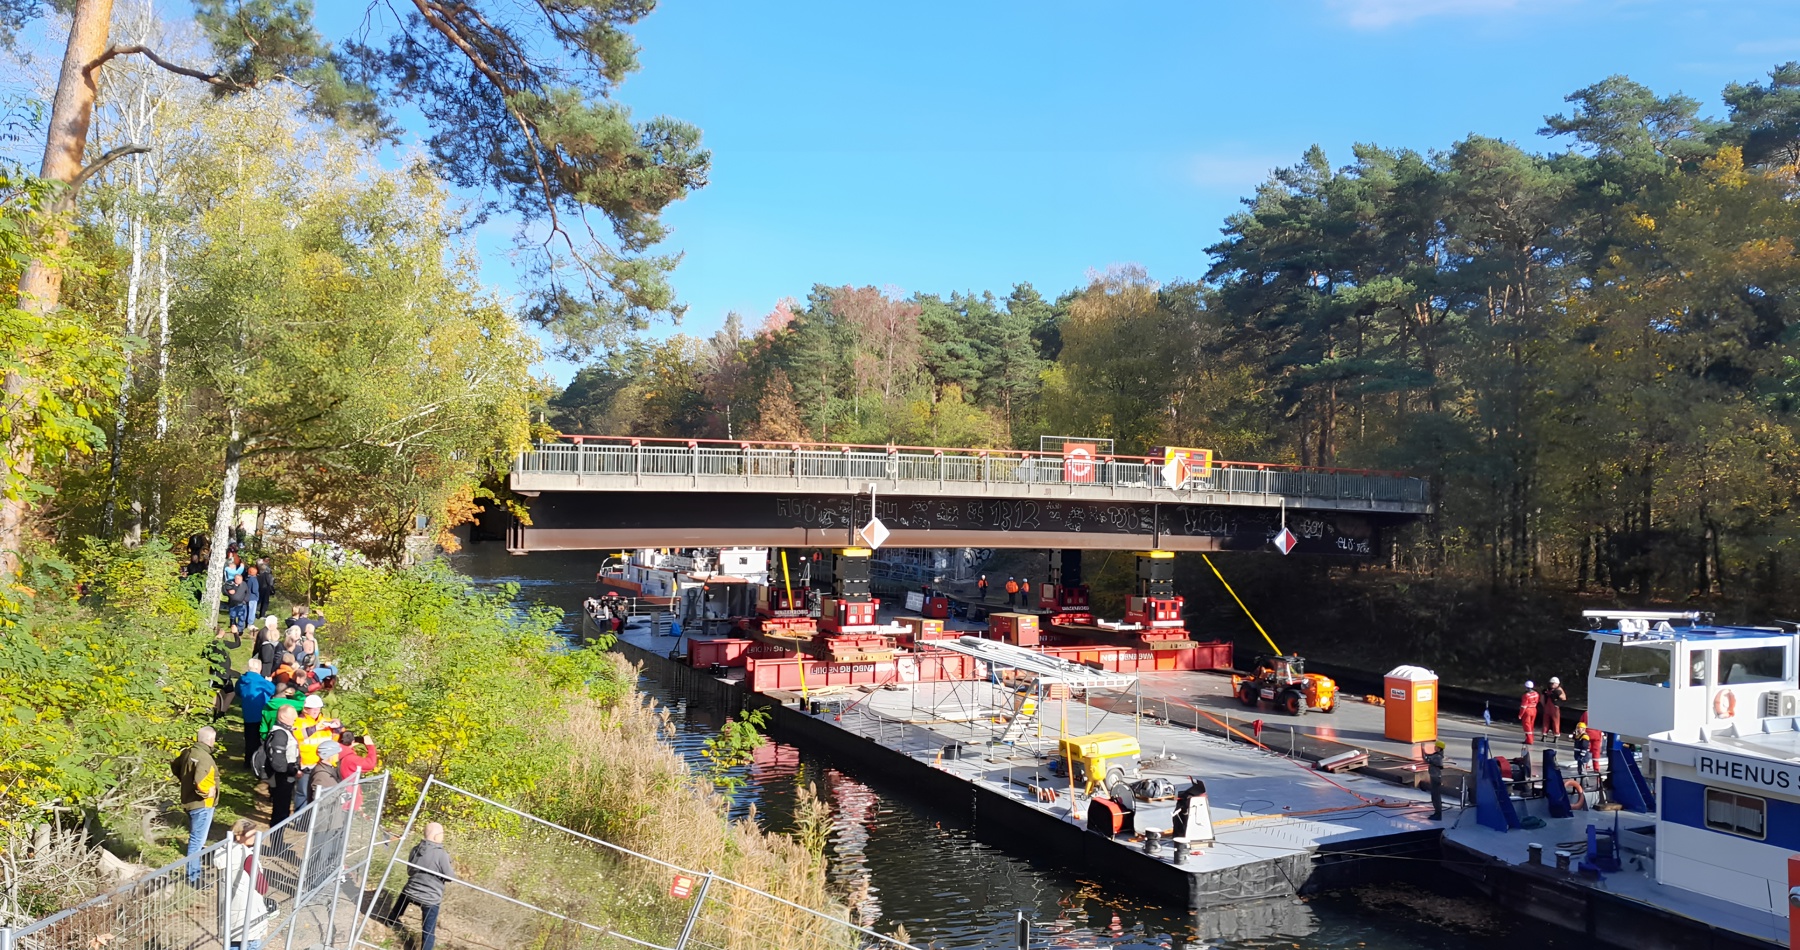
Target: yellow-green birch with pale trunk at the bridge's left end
[(321, 318)]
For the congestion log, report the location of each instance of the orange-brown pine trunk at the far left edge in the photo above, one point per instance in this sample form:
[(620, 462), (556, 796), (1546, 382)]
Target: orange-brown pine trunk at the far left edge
[(42, 285)]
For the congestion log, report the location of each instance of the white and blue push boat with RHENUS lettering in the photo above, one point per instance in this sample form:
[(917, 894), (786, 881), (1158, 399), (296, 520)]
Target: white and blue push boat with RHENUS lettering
[(1700, 733)]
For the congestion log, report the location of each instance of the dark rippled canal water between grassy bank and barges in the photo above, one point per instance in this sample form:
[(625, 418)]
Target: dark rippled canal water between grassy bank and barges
[(926, 872)]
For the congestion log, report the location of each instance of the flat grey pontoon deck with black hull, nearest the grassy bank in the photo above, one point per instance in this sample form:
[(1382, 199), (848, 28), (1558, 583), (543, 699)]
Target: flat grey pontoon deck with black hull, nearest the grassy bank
[(1281, 827)]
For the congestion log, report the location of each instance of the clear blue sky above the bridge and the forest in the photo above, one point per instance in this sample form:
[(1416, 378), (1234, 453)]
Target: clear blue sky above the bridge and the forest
[(976, 145)]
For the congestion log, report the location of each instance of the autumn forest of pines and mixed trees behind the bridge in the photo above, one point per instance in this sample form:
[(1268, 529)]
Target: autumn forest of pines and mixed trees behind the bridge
[(1588, 350)]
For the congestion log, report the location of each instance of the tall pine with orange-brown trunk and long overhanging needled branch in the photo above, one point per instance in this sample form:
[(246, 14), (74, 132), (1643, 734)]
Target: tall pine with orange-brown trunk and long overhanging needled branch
[(517, 102)]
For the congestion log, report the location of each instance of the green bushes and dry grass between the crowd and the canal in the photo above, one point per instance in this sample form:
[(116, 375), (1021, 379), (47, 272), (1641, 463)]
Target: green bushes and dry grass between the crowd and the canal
[(462, 685)]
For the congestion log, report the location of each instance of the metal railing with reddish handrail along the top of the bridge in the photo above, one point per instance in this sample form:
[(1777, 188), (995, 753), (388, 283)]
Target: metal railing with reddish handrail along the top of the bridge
[(894, 465)]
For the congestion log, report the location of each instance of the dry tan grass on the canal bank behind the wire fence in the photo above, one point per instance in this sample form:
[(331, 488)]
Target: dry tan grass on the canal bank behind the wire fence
[(620, 784)]
